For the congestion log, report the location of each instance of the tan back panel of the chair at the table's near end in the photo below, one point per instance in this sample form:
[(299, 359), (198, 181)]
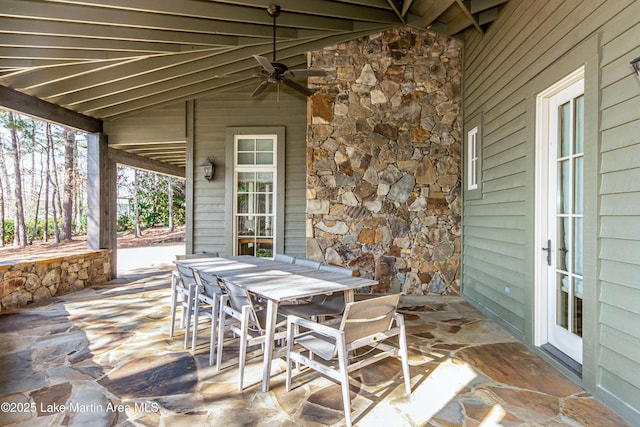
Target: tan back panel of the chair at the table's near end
[(368, 317)]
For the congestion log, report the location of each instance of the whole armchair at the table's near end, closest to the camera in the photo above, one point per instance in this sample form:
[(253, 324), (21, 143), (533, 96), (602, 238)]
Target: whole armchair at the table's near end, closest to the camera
[(365, 324)]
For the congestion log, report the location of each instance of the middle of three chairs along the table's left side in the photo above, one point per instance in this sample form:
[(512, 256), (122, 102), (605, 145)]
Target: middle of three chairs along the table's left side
[(206, 301)]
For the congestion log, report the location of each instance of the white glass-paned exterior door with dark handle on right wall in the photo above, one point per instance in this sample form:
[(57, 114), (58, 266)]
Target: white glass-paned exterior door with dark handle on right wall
[(561, 231)]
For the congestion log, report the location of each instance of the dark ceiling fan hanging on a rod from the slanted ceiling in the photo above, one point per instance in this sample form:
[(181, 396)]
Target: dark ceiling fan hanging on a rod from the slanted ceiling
[(276, 72)]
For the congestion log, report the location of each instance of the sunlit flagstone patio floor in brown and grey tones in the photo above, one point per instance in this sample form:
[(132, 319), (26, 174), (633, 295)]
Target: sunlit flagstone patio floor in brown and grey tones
[(103, 357)]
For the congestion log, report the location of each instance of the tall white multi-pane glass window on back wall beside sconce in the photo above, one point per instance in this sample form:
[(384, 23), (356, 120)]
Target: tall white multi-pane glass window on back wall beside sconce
[(255, 178)]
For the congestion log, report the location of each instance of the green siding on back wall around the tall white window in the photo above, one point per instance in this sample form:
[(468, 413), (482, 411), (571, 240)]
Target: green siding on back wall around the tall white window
[(212, 118)]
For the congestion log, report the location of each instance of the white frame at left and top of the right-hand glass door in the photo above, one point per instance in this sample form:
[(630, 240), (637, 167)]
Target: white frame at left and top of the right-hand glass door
[(541, 295)]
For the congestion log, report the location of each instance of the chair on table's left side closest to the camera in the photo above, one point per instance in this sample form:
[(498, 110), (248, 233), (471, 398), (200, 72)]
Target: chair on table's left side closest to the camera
[(245, 320)]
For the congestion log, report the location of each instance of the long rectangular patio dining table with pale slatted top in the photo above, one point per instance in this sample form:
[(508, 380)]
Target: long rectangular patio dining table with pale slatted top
[(276, 282)]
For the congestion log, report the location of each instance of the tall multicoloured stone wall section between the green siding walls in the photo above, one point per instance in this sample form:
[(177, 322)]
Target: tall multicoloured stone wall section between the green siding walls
[(383, 160)]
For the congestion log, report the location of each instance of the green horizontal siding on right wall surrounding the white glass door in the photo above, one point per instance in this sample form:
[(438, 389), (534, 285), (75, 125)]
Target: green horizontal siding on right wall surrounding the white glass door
[(504, 70)]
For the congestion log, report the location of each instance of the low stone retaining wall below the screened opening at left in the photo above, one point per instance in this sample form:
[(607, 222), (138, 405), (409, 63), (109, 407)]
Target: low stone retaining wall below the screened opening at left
[(26, 281)]
